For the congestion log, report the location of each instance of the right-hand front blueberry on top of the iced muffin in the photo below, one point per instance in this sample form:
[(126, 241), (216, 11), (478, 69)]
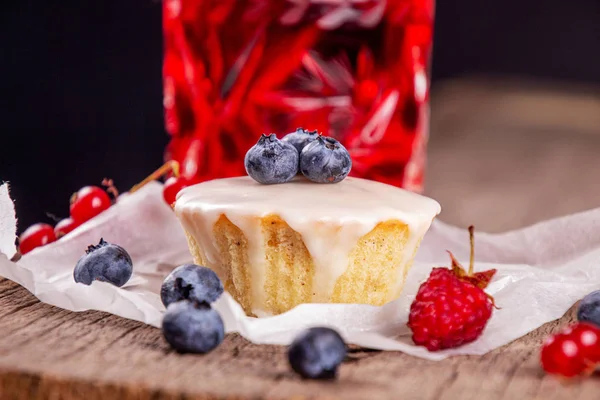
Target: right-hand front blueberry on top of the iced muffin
[(325, 160)]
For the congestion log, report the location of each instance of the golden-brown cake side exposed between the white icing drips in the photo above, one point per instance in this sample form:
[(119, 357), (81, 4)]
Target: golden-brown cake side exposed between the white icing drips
[(375, 274)]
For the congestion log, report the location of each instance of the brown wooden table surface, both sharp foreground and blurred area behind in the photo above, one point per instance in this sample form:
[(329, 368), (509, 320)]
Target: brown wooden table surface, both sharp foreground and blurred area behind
[(502, 156)]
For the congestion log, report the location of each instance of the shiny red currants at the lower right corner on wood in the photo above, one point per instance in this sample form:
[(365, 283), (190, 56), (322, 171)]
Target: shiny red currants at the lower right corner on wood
[(575, 351)]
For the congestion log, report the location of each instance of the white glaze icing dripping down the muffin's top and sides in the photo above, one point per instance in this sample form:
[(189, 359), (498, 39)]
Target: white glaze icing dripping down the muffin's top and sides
[(330, 218)]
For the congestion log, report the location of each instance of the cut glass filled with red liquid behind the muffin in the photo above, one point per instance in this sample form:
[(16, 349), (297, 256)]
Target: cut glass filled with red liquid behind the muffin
[(353, 69)]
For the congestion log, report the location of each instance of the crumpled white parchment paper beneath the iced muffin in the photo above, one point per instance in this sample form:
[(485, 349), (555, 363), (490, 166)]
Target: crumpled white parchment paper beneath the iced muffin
[(542, 271)]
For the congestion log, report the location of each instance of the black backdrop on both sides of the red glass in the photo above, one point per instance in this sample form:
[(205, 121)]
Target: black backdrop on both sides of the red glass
[(81, 81)]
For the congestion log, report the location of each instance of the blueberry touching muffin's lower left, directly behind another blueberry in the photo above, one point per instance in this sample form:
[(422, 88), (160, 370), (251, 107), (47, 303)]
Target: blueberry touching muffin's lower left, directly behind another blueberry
[(191, 282)]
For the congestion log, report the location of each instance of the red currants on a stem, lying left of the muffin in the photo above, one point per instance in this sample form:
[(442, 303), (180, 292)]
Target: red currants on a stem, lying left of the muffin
[(90, 201)]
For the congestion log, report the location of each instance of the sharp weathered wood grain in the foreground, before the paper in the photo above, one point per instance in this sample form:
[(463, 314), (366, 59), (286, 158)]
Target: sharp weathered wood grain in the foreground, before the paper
[(48, 353)]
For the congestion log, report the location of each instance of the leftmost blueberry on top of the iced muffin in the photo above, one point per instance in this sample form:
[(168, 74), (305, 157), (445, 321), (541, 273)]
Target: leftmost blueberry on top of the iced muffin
[(271, 161)]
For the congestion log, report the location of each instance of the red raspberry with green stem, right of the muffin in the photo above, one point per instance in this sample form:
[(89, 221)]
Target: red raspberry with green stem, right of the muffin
[(451, 308)]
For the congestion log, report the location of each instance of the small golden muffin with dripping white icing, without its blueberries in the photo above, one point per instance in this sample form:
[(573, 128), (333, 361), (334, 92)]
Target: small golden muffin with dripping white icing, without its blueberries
[(277, 246)]
